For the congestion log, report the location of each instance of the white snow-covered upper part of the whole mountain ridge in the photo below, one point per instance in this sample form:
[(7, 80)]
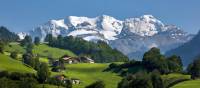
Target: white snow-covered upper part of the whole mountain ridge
[(104, 27)]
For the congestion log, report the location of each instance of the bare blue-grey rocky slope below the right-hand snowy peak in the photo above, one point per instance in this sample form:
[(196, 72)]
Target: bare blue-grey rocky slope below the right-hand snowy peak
[(135, 45)]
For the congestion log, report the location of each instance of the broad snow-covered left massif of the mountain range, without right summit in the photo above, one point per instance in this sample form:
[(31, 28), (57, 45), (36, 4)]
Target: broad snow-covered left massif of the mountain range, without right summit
[(99, 28)]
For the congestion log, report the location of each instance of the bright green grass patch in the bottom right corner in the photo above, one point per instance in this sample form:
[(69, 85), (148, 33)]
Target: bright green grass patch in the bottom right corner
[(188, 84)]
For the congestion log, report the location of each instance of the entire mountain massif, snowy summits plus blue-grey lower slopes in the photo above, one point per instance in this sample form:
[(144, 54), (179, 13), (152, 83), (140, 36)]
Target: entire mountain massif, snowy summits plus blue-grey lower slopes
[(132, 36)]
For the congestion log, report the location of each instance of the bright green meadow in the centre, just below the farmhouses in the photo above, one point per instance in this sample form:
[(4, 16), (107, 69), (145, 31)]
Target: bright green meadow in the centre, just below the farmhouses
[(89, 73)]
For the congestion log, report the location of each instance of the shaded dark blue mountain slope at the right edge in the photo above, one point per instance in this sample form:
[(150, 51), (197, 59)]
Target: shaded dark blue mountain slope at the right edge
[(188, 51)]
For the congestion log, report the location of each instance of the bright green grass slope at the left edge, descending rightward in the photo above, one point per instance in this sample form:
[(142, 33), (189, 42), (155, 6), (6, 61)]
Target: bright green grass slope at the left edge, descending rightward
[(6, 63)]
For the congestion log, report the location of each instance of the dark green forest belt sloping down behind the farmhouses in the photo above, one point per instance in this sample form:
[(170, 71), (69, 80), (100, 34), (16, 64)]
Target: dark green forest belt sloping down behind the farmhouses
[(99, 51)]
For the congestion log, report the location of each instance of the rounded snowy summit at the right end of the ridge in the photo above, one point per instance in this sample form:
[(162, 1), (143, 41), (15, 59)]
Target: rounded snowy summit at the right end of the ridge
[(146, 25)]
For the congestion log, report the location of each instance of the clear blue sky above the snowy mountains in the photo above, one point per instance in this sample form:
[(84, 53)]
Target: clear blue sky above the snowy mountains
[(24, 15)]
